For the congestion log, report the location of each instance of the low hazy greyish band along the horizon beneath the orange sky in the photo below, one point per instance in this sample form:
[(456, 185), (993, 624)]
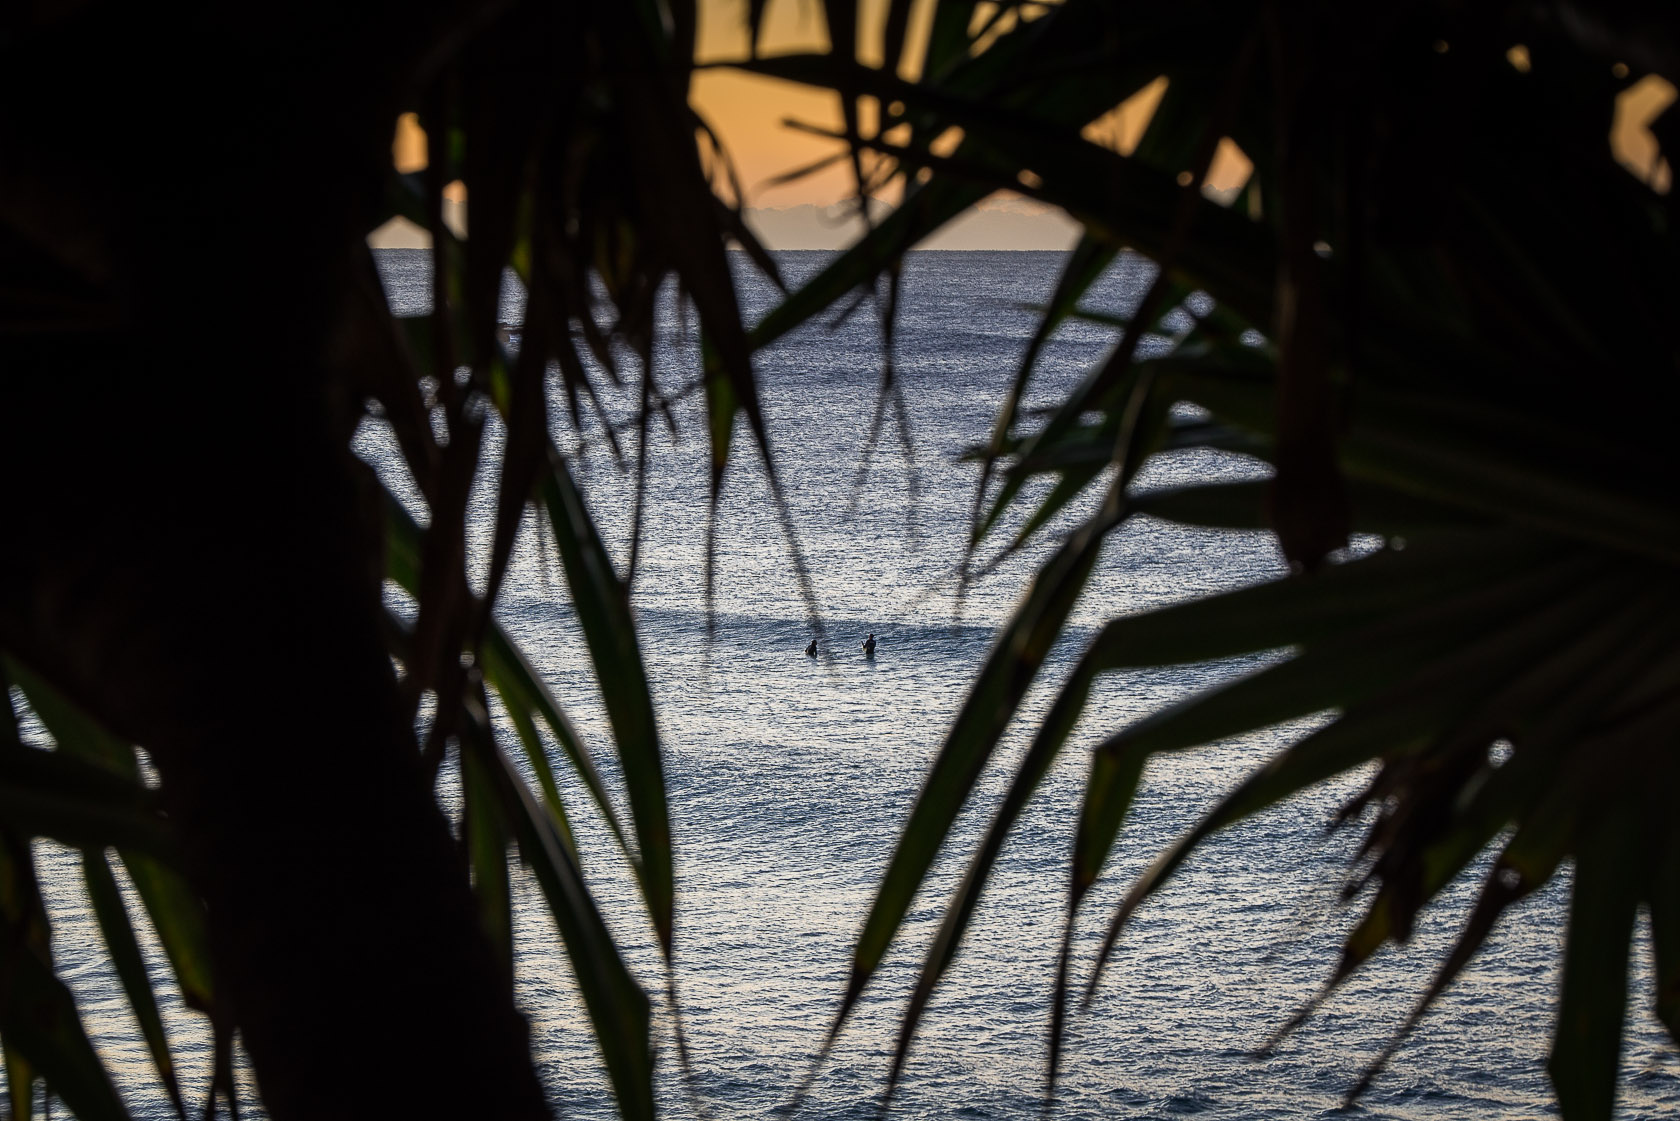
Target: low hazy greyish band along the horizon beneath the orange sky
[(999, 223)]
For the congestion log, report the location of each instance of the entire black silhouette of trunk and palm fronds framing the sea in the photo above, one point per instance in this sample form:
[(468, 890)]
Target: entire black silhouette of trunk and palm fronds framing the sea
[(1439, 308)]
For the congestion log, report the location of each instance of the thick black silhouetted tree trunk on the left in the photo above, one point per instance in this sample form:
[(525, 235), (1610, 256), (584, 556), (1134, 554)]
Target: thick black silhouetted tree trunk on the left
[(189, 552)]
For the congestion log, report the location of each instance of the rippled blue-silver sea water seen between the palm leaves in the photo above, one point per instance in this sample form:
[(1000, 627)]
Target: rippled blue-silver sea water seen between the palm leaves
[(789, 781)]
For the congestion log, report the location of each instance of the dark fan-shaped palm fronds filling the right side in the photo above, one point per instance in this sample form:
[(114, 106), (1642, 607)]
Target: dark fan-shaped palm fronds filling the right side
[(1442, 313)]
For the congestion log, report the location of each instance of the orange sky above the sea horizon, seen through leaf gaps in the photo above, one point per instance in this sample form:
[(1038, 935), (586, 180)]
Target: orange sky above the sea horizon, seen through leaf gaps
[(752, 117)]
